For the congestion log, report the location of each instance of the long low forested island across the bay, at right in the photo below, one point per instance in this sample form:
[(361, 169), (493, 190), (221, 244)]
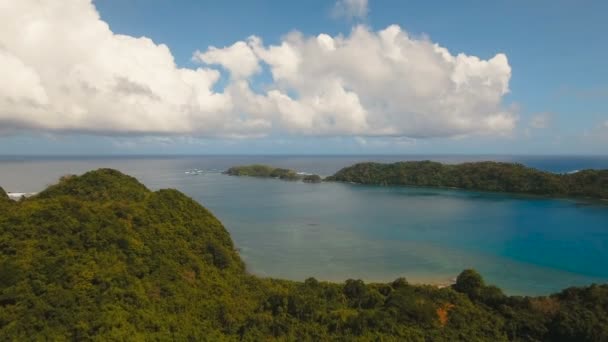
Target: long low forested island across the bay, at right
[(484, 176)]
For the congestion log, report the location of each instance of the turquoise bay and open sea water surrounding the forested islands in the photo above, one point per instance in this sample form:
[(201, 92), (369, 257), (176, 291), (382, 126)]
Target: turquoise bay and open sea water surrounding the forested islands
[(334, 231)]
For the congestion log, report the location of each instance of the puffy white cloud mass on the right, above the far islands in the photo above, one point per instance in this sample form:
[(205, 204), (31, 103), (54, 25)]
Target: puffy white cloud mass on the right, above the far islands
[(384, 83)]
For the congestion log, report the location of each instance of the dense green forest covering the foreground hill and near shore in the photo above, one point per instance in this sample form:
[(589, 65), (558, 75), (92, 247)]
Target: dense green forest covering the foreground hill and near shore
[(100, 257)]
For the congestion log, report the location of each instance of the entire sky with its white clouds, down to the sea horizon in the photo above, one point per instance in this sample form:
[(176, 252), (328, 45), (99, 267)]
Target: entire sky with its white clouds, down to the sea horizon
[(303, 77)]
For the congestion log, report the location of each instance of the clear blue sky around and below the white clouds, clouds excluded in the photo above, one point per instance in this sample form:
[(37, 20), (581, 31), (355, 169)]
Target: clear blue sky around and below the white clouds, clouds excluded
[(556, 50)]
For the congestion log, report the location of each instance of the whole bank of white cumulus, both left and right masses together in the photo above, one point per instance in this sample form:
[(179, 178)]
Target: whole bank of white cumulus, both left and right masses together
[(64, 70)]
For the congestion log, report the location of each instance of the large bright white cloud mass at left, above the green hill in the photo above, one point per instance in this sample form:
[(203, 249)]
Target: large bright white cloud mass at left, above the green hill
[(64, 70)]
